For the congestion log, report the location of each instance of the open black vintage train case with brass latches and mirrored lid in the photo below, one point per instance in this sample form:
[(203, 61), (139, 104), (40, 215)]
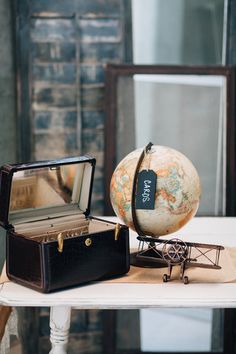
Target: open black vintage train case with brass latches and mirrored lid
[(52, 241)]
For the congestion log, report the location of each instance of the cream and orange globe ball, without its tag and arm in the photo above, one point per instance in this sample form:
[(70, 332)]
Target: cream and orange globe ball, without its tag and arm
[(177, 192)]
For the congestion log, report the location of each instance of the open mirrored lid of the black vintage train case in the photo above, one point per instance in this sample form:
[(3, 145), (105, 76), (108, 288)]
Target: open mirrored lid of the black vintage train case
[(45, 189)]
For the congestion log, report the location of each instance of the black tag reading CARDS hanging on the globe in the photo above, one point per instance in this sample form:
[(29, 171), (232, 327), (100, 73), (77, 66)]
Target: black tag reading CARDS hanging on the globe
[(146, 189)]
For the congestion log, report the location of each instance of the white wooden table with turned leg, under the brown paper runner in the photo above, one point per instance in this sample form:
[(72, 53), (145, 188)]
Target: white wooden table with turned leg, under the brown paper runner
[(103, 295)]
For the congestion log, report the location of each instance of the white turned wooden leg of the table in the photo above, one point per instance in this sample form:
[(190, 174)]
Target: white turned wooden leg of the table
[(59, 325)]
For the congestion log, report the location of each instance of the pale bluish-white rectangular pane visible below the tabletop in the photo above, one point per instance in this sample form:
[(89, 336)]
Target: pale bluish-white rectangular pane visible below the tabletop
[(176, 330)]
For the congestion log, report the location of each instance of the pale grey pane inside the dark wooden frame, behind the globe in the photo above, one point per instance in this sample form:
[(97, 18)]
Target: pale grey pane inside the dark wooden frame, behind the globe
[(187, 113)]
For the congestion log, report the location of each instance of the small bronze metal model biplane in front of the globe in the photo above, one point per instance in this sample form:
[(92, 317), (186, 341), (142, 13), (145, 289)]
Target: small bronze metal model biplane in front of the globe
[(175, 252)]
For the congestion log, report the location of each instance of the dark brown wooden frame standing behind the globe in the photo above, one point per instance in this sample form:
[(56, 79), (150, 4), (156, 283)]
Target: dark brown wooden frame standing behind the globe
[(116, 71)]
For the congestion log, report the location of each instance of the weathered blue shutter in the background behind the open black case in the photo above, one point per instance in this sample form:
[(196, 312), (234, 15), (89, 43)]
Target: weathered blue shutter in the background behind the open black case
[(67, 51)]
